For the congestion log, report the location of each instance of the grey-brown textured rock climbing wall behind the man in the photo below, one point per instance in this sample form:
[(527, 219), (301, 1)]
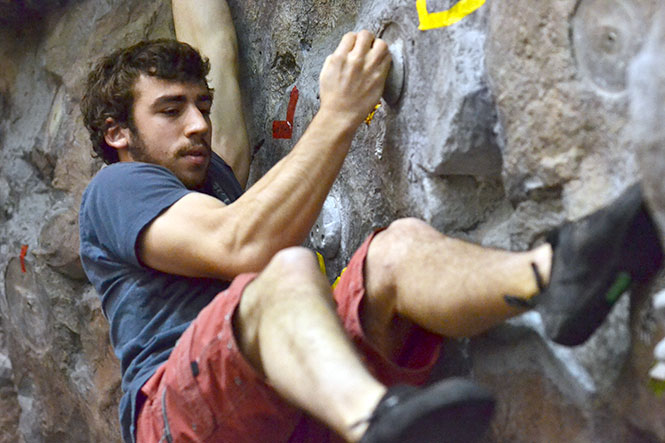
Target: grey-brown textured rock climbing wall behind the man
[(514, 116)]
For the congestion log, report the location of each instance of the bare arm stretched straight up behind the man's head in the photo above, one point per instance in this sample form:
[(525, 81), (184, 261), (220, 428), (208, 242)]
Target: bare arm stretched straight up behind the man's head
[(207, 26)]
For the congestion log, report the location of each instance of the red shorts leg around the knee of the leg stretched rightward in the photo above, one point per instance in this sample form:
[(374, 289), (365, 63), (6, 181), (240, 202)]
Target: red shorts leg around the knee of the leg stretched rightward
[(421, 348)]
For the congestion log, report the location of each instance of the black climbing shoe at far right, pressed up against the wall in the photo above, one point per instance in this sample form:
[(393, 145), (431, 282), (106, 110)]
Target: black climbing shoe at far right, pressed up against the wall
[(595, 261)]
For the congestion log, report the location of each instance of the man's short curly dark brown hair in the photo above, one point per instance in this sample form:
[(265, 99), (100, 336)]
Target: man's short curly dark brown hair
[(109, 91)]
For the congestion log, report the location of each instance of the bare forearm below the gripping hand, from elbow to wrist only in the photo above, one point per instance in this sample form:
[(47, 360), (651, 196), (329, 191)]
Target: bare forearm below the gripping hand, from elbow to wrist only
[(280, 209)]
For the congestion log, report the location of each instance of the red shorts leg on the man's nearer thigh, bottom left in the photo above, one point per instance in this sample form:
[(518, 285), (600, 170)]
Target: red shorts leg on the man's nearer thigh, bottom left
[(207, 391)]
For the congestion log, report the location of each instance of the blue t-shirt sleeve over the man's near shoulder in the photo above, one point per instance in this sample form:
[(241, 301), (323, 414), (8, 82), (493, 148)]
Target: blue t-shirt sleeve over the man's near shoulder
[(121, 201)]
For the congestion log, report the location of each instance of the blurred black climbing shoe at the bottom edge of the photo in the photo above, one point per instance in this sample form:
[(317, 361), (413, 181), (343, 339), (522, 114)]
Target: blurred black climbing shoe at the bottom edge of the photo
[(453, 410)]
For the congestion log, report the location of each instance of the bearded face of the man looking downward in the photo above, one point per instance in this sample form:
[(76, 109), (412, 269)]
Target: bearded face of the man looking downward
[(172, 127)]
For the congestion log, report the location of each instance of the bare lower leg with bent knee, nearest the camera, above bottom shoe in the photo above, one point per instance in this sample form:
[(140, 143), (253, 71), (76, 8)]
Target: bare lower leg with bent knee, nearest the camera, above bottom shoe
[(288, 329)]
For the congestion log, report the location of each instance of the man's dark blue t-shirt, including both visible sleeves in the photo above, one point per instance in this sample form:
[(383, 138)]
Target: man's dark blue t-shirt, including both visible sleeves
[(147, 310)]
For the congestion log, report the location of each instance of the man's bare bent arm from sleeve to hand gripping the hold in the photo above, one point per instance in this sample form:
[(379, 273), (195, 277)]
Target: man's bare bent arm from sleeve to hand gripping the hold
[(199, 236)]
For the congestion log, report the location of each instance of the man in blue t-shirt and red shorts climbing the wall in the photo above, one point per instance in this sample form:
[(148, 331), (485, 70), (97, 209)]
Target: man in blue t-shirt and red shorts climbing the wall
[(226, 330)]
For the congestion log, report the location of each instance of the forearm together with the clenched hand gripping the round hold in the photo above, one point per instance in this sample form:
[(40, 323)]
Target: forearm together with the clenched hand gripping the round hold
[(351, 83)]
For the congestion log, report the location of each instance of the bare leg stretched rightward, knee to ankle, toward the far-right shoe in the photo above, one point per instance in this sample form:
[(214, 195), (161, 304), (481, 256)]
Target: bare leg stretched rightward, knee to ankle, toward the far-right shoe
[(448, 286)]
